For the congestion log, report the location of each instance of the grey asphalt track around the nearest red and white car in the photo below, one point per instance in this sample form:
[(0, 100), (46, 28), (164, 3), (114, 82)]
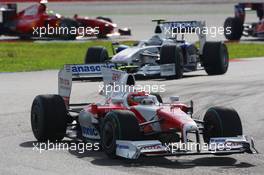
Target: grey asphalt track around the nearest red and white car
[(241, 88)]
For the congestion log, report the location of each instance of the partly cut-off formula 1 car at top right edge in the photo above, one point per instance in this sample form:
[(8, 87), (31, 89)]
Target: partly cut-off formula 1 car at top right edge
[(235, 27)]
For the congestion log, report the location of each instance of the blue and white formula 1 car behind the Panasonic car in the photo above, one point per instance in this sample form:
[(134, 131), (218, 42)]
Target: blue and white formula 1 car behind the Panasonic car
[(164, 55)]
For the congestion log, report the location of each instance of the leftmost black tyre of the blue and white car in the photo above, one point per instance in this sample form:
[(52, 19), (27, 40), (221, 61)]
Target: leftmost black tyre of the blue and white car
[(96, 54)]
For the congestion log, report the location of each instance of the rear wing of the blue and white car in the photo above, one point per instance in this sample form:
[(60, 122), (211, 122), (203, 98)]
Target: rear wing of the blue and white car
[(170, 29)]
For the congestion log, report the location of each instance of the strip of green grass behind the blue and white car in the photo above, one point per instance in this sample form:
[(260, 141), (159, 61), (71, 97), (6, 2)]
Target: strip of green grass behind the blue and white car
[(28, 56)]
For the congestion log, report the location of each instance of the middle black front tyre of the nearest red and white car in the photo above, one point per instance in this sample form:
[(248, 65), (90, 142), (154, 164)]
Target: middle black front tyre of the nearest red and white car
[(118, 125)]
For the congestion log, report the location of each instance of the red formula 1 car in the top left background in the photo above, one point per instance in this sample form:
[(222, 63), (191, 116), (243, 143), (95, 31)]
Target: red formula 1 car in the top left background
[(37, 21)]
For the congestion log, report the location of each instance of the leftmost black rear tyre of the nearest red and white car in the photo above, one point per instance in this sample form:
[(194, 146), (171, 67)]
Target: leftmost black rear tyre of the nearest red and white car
[(48, 118)]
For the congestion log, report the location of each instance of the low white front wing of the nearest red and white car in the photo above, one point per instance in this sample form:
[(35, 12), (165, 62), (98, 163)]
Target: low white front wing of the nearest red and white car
[(233, 145)]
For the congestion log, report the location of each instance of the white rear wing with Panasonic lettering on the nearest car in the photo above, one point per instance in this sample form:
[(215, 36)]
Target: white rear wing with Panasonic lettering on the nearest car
[(111, 77)]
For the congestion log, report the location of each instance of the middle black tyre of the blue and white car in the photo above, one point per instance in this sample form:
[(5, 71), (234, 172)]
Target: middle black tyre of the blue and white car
[(172, 54)]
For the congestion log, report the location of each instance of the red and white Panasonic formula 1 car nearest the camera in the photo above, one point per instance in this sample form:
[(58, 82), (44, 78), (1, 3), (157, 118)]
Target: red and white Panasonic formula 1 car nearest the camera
[(133, 123)]
